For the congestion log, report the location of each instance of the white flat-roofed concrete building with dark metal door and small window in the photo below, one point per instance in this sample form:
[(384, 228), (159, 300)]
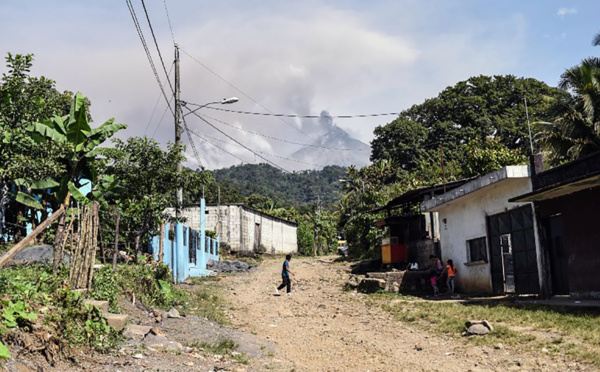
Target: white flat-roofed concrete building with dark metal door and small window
[(492, 242)]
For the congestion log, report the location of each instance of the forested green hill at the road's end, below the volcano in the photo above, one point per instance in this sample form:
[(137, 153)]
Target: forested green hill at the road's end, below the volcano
[(298, 188)]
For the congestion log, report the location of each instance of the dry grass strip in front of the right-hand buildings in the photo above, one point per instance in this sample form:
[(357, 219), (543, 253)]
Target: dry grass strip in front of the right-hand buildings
[(514, 323)]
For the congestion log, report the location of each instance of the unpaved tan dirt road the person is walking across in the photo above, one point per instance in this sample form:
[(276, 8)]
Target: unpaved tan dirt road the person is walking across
[(320, 327)]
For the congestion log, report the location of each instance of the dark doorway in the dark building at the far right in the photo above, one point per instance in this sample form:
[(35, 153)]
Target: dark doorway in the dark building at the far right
[(558, 257)]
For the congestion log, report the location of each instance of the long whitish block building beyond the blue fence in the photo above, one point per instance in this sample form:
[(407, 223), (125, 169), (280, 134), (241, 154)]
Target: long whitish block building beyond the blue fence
[(245, 229)]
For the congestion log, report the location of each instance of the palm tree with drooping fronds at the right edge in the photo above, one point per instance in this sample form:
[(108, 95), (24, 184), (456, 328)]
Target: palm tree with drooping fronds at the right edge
[(575, 131)]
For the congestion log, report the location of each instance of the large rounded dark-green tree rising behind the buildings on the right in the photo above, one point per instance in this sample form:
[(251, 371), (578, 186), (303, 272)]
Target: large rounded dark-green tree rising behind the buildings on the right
[(479, 107)]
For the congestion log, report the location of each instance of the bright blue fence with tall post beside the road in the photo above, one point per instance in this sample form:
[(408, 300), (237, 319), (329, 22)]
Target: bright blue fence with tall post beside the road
[(186, 251)]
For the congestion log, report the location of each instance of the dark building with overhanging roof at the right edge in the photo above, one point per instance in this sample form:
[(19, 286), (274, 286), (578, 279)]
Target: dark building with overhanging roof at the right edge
[(566, 201)]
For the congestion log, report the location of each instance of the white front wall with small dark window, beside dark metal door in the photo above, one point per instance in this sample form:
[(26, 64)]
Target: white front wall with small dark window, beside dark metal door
[(464, 218)]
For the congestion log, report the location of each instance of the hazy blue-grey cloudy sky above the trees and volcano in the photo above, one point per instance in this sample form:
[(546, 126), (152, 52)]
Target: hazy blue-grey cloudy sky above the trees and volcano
[(348, 57)]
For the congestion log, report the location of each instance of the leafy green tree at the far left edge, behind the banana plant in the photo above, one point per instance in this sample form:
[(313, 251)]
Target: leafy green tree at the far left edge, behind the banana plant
[(25, 100)]
